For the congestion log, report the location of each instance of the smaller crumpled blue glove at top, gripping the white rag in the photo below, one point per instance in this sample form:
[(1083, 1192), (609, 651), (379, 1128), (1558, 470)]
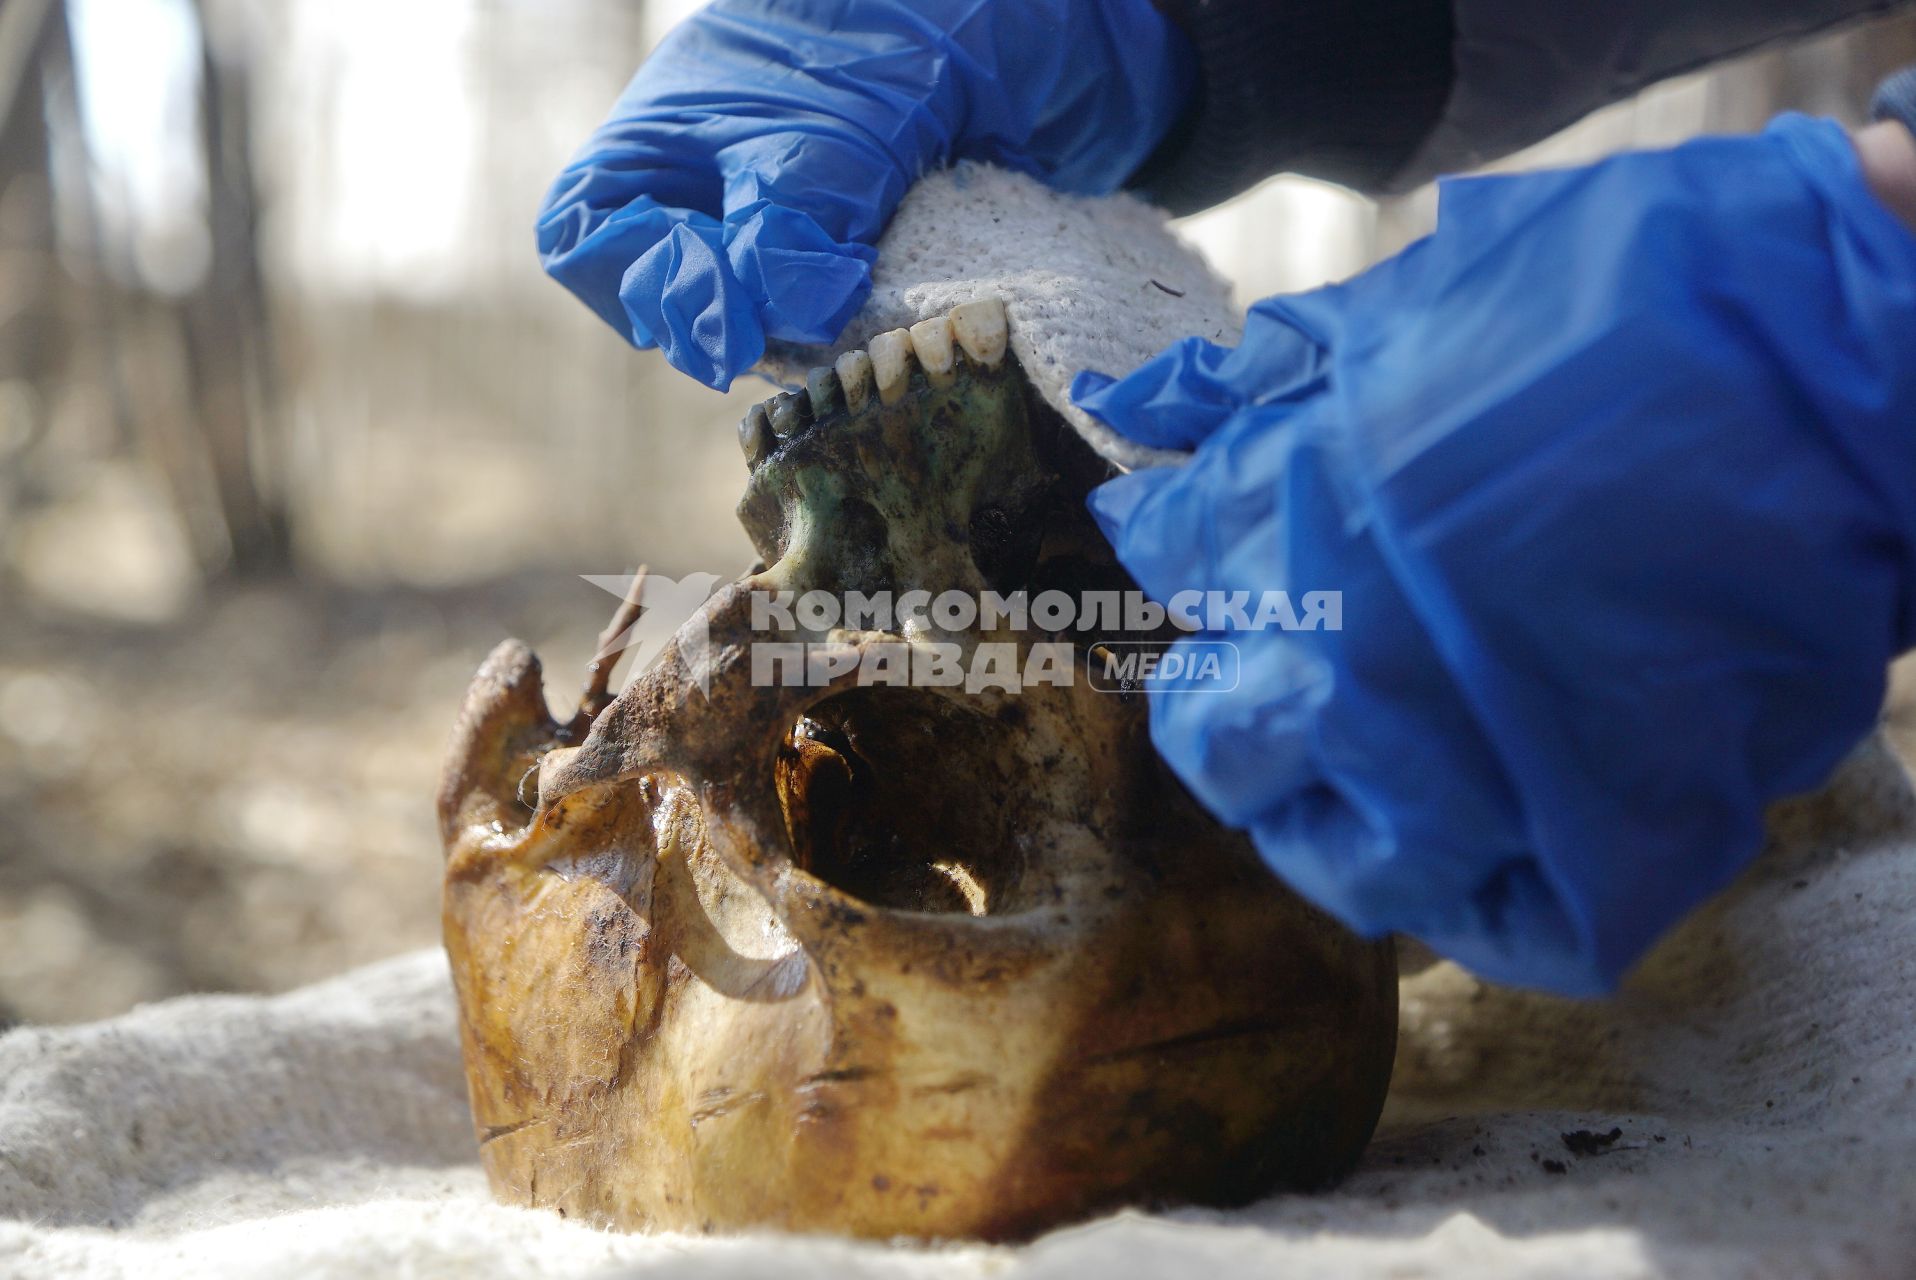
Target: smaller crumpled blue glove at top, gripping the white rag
[(750, 168)]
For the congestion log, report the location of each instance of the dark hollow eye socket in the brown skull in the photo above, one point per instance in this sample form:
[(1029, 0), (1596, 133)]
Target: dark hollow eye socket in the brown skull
[(878, 804)]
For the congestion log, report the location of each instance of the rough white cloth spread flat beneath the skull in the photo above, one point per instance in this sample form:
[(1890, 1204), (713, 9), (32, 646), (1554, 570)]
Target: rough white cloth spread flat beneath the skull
[(1762, 1068)]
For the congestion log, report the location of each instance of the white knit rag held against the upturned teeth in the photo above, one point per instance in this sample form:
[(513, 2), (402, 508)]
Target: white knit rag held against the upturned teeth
[(1089, 285)]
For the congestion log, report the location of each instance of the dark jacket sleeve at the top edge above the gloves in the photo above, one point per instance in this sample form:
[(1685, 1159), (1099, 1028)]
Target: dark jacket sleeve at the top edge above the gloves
[(1382, 95)]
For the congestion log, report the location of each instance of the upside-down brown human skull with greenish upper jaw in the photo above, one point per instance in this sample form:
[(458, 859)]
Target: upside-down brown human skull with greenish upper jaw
[(888, 961)]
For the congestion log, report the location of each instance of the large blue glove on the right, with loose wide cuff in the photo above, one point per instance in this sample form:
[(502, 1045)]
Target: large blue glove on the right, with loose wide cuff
[(1618, 478)]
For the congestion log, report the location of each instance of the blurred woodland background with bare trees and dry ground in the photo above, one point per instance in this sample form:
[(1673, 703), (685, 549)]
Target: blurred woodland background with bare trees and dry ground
[(294, 430)]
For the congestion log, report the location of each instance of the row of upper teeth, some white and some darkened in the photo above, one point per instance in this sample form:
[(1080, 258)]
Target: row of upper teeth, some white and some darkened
[(884, 367)]
